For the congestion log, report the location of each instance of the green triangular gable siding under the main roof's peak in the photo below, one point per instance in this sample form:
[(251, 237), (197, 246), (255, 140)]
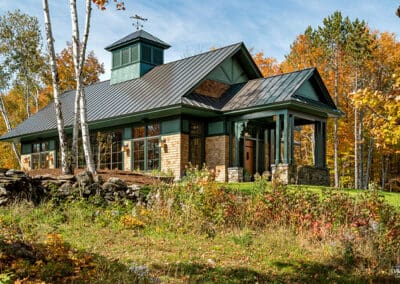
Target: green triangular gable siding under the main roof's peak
[(229, 72)]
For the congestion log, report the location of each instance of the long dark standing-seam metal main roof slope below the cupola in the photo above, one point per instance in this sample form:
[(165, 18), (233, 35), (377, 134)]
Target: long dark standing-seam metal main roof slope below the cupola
[(163, 86)]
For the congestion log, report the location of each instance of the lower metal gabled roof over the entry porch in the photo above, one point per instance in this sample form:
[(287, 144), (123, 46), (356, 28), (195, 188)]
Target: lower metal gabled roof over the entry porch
[(265, 91)]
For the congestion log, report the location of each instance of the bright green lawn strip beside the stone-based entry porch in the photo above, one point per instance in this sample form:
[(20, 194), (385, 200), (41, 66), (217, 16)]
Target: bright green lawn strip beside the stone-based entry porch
[(392, 198)]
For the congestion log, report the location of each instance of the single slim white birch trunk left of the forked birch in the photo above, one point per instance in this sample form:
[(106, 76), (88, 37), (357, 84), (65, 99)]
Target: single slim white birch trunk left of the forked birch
[(56, 89)]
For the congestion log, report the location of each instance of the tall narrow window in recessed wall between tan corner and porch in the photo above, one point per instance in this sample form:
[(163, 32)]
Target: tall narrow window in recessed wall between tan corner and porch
[(196, 143)]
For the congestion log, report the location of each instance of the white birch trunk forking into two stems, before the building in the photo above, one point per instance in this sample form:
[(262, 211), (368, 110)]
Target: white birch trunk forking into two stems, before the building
[(79, 51)]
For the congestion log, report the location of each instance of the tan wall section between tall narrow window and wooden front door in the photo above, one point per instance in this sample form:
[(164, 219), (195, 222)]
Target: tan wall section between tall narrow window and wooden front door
[(217, 156)]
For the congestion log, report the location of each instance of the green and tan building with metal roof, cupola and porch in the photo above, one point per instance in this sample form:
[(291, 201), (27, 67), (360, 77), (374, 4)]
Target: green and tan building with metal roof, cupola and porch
[(213, 108)]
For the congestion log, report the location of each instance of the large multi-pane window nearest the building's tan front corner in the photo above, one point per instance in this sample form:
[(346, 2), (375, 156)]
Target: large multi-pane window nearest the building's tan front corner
[(146, 149)]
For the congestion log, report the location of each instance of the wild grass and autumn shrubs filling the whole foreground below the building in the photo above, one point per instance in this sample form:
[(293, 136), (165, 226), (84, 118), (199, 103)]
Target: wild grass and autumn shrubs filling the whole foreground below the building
[(199, 231)]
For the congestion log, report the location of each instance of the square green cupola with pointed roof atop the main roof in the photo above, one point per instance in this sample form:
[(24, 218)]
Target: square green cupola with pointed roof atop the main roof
[(134, 55)]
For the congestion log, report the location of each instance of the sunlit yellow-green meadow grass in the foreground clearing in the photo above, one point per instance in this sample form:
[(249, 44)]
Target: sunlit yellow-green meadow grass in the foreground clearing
[(233, 256)]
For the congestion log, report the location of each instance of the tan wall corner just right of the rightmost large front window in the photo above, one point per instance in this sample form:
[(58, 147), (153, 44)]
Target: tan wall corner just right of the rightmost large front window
[(175, 153)]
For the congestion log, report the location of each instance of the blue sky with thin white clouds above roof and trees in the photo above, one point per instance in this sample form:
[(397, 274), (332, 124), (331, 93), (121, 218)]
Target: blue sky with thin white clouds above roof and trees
[(191, 27)]
